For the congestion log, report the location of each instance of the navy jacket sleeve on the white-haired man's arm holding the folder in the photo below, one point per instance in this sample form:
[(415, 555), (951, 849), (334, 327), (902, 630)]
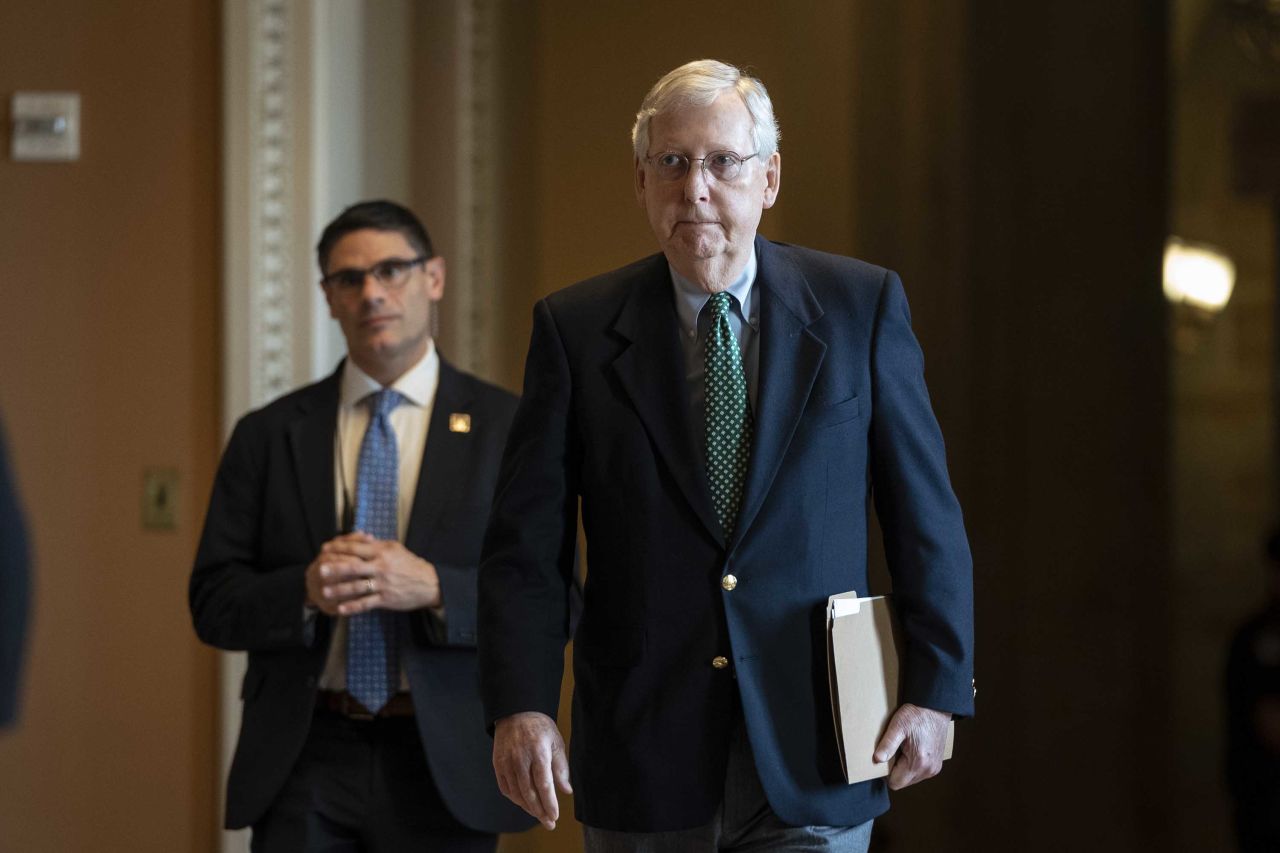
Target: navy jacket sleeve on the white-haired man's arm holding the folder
[(925, 540)]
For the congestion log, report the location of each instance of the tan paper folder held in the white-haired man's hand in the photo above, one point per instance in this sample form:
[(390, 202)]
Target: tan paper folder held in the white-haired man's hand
[(863, 672)]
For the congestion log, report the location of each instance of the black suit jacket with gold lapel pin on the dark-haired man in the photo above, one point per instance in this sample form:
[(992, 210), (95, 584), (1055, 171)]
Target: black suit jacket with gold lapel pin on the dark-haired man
[(272, 509)]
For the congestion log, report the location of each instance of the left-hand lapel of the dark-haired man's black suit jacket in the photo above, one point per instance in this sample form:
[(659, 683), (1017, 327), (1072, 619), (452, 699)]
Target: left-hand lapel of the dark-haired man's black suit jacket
[(312, 441)]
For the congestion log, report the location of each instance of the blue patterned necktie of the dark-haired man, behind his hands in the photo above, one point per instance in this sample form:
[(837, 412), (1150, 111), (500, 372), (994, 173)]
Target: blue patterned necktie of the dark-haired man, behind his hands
[(373, 654)]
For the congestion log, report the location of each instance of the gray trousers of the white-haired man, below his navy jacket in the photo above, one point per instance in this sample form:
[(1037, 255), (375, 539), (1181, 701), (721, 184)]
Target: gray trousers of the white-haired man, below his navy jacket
[(744, 822)]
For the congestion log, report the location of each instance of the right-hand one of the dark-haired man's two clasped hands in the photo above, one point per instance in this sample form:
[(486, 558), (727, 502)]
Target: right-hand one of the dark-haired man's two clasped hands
[(391, 576)]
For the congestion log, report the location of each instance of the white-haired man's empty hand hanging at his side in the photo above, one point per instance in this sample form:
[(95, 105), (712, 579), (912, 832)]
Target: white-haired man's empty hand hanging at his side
[(528, 756)]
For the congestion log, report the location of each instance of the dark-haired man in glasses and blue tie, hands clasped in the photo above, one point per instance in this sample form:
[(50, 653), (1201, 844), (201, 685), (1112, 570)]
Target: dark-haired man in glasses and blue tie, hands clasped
[(341, 551)]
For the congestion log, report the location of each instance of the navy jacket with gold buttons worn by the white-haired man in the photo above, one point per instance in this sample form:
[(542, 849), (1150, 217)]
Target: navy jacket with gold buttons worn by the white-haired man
[(843, 419)]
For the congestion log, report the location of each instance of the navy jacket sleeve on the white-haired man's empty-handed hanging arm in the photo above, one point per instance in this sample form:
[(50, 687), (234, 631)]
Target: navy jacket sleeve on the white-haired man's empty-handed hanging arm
[(527, 569)]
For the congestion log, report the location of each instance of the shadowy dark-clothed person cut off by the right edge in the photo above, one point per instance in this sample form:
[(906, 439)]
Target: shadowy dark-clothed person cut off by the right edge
[(1254, 718)]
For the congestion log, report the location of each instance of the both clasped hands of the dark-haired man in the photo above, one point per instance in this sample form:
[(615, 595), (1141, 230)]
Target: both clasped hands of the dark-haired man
[(356, 573)]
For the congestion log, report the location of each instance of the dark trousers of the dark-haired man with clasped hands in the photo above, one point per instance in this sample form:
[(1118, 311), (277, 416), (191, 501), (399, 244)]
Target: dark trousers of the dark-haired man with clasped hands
[(363, 786)]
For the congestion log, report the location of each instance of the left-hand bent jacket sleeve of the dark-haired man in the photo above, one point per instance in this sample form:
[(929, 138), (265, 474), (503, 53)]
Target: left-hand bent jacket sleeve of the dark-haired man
[(237, 604)]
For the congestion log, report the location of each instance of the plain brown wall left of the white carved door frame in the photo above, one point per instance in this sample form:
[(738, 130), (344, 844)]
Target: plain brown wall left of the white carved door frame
[(108, 364)]
